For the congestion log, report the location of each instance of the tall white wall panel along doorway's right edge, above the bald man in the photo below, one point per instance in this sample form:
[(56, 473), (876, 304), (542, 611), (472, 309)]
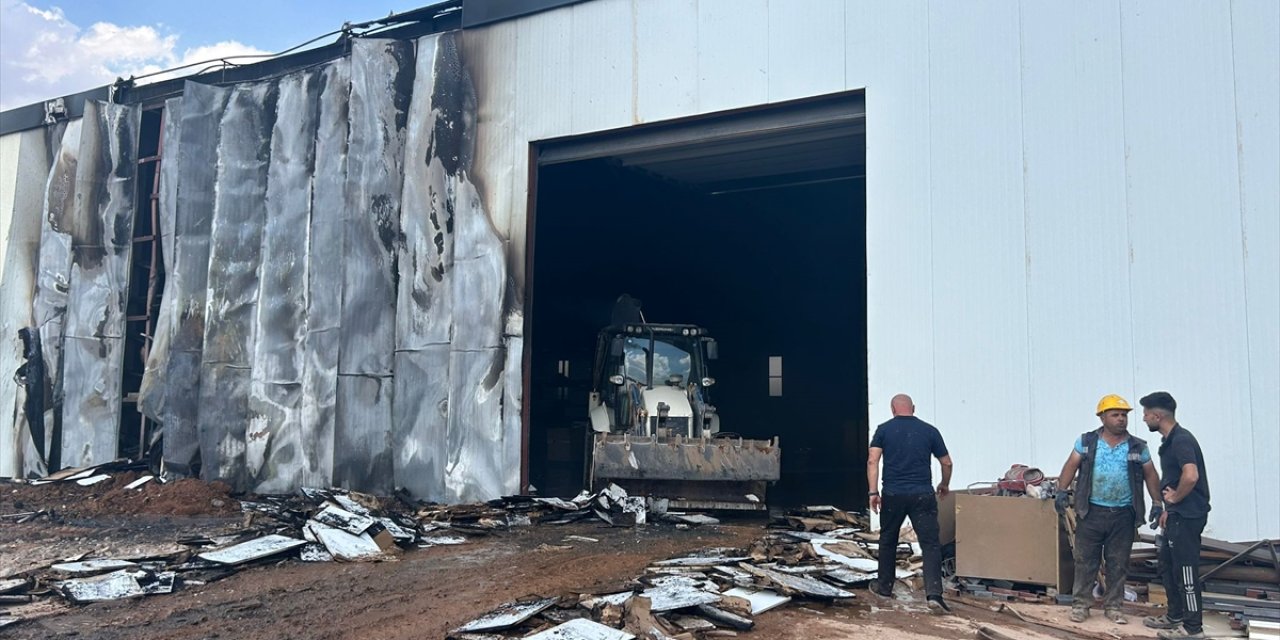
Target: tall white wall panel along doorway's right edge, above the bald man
[(888, 56)]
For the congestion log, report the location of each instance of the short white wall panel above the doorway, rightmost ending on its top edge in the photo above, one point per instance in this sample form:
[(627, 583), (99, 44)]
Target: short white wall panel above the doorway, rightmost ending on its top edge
[(807, 49)]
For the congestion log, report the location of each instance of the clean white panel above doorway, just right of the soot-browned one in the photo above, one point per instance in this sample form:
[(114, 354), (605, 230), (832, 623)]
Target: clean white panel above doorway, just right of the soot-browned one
[(604, 47)]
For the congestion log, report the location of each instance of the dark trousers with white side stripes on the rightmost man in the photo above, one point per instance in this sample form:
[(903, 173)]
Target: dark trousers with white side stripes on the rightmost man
[(1180, 570)]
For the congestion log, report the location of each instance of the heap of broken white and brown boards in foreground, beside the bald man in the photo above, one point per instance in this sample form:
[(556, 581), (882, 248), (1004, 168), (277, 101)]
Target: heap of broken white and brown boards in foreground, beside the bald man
[(816, 554)]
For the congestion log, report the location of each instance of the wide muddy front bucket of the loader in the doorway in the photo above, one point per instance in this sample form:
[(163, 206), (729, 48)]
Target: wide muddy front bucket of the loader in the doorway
[(703, 473)]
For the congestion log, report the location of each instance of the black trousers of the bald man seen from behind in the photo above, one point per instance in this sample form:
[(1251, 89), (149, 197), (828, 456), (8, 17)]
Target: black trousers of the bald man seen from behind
[(924, 511)]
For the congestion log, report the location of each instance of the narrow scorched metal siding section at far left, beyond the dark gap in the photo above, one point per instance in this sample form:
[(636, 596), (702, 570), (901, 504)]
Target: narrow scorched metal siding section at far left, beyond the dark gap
[(86, 223)]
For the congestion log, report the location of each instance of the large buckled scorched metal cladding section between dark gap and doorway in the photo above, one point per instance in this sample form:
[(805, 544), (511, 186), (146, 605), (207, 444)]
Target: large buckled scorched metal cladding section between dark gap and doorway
[(356, 286)]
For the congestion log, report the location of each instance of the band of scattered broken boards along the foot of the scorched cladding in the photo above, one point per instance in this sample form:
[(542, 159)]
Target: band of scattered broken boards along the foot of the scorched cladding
[(313, 525)]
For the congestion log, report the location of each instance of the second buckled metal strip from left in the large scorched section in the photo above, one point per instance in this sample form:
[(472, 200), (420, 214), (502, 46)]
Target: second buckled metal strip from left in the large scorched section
[(235, 258)]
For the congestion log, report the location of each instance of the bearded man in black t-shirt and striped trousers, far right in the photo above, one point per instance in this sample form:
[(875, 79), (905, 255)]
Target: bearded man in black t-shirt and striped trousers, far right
[(1185, 487)]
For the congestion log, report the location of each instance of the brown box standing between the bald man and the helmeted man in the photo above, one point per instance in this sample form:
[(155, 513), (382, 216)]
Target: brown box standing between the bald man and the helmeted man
[(1012, 538)]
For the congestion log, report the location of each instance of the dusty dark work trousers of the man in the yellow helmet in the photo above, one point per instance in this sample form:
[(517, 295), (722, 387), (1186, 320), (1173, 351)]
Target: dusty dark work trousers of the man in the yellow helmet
[(1103, 533)]
